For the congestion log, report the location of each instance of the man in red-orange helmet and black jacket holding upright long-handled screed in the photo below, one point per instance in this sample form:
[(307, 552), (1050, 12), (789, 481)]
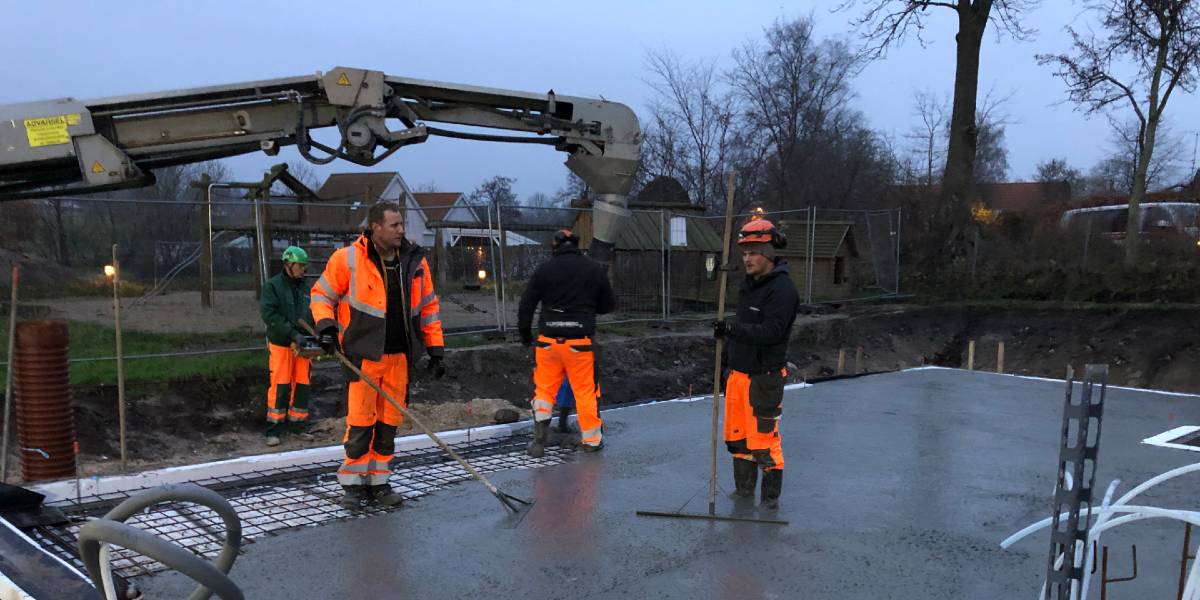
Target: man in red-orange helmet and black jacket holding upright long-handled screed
[(758, 345)]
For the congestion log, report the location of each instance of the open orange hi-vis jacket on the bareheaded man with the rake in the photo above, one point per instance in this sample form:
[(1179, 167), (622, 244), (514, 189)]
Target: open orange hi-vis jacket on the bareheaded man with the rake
[(352, 295)]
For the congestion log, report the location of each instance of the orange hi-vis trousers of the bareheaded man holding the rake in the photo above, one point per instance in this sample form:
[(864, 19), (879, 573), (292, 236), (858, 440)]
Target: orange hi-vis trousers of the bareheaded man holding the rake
[(371, 422)]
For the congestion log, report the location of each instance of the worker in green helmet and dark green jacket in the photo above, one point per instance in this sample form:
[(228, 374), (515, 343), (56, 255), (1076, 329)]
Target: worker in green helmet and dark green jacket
[(285, 303)]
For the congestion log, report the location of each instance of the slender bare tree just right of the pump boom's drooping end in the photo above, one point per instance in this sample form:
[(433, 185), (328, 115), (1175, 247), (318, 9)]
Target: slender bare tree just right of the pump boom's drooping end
[(692, 128)]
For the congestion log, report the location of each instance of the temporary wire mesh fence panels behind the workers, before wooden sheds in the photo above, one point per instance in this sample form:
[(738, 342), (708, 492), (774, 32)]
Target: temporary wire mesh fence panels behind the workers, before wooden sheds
[(483, 256)]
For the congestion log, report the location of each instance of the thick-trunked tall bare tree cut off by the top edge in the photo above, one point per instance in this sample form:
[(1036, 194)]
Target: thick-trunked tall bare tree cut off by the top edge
[(891, 22)]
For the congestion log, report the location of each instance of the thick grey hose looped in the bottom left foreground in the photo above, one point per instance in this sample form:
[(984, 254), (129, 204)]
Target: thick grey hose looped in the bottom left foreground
[(112, 530)]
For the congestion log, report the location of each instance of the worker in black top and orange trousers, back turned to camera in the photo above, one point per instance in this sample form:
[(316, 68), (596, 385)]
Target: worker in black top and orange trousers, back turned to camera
[(572, 290)]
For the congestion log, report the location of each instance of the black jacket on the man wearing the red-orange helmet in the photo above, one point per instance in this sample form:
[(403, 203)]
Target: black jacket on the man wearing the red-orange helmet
[(766, 313)]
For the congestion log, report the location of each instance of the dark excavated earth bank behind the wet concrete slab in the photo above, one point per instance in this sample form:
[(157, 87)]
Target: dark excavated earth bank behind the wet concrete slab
[(199, 421)]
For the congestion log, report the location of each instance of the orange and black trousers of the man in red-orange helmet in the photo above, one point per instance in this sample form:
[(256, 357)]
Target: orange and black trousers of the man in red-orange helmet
[(753, 409)]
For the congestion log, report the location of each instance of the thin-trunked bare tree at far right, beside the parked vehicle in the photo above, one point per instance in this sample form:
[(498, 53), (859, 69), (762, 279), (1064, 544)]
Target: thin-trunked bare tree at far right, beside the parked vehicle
[(1150, 49)]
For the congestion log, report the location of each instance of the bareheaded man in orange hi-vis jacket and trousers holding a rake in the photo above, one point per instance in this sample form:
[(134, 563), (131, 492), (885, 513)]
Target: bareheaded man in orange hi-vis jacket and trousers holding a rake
[(376, 304)]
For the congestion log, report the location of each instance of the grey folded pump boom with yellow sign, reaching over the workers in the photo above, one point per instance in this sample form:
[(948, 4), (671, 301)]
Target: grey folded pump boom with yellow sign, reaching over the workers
[(70, 146)]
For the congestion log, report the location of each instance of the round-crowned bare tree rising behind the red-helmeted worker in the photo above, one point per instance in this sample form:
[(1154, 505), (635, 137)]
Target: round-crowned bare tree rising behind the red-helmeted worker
[(794, 88)]
